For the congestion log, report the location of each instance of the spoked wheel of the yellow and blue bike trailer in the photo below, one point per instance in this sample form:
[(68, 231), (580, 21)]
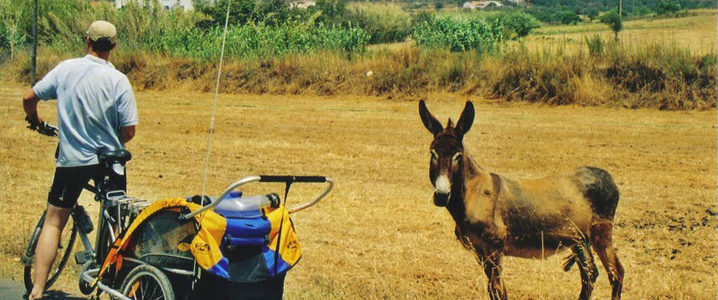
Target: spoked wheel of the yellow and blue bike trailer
[(146, 282)]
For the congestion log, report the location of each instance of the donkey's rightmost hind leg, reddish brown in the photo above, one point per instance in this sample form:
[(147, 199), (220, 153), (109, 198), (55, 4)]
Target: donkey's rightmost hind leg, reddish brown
[(602, 242)]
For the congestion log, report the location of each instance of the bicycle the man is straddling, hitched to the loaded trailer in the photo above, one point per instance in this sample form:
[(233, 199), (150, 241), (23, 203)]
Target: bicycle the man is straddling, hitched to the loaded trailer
[(116, 212)]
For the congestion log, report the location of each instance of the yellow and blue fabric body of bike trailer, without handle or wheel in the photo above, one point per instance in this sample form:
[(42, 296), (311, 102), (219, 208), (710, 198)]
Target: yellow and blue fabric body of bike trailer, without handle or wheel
[(248, 249)]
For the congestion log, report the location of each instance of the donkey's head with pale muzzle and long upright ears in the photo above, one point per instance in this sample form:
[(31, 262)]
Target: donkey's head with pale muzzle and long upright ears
[(447, 151)]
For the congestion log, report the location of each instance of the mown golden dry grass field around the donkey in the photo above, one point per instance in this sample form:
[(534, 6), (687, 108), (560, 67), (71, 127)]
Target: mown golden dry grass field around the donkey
[(378, 235)]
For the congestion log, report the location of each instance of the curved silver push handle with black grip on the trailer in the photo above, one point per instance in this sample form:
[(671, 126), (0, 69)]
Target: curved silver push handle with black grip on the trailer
[(288, 179)]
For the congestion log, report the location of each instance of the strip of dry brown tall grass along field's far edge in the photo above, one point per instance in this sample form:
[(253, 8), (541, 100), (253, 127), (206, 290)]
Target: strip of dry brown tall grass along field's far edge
[(661, 76)]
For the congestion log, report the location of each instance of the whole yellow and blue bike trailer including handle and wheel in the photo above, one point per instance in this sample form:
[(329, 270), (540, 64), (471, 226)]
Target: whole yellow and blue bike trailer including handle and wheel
[(232, 248)]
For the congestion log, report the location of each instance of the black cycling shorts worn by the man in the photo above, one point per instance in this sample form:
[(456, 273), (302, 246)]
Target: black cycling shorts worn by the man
[(69, 182)]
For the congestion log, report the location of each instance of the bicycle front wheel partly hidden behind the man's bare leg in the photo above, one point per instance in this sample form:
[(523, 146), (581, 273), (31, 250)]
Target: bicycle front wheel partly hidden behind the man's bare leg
[(64, 251)]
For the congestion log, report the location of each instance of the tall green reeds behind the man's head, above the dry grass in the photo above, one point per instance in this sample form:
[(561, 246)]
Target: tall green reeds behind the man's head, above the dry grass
[(149, 28)]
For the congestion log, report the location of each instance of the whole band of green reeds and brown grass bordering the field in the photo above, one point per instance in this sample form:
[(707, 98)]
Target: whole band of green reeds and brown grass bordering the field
[(164, 50)]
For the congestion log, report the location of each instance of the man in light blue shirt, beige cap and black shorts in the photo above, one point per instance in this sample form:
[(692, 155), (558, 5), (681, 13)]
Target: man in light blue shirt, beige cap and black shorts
[(96, 110)]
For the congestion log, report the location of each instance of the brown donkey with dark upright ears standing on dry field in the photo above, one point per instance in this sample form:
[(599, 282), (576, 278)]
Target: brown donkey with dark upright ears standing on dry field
[(497, 216)]
